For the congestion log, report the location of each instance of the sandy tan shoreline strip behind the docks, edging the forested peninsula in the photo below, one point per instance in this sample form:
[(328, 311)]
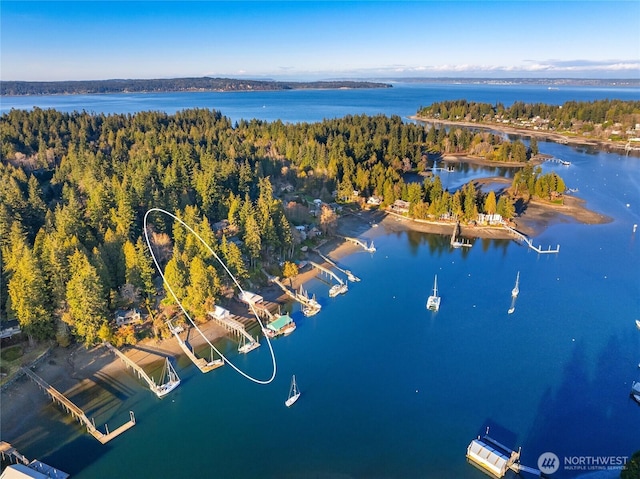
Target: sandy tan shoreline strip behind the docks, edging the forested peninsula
[(84, 373)]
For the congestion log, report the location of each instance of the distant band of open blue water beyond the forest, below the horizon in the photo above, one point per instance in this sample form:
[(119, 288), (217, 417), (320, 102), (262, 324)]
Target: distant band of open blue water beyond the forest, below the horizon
[(316, 105)]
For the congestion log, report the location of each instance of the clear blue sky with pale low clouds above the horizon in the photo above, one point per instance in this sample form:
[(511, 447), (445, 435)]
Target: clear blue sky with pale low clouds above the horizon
[(84, 40)]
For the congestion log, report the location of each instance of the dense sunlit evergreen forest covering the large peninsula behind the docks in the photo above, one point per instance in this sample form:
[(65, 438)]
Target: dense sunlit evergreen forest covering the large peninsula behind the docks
[(77, 185)]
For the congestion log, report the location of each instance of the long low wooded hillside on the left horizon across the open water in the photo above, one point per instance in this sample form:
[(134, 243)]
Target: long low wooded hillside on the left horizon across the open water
[(14, 88)]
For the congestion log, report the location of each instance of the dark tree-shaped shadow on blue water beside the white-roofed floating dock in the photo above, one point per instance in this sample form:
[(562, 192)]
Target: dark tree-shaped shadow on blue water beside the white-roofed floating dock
[(589, 415)]
